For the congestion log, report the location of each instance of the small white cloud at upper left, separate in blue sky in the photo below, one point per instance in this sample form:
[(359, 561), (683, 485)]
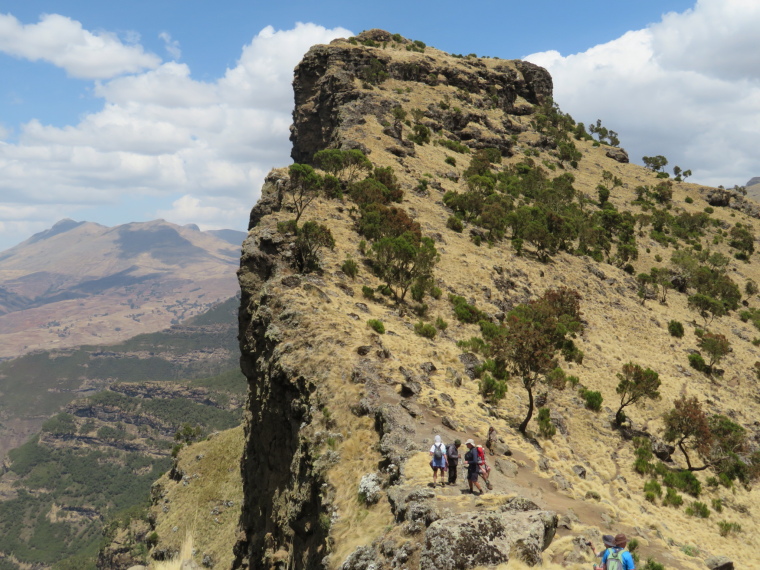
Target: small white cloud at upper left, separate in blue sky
[(63, 42)]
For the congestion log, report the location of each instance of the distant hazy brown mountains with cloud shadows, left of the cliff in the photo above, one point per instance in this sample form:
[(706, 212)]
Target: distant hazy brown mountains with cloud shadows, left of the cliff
[(84, 283)]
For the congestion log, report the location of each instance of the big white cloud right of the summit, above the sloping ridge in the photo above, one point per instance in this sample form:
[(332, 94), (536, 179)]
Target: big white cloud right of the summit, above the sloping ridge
[(687, 87)]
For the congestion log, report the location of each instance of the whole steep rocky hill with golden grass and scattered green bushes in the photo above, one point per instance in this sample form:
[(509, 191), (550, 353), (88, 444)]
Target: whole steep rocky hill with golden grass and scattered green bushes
[(357, 357)]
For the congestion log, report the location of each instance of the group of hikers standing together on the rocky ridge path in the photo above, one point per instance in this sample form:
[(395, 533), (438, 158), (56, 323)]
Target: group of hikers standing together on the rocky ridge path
[(445, 458)]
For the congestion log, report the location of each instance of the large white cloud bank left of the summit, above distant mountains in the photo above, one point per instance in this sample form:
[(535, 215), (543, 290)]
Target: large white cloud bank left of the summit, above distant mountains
[(206, 146)]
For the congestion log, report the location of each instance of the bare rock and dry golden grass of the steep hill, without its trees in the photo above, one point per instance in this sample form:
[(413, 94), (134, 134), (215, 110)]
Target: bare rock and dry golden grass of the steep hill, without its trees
[(340, 418)]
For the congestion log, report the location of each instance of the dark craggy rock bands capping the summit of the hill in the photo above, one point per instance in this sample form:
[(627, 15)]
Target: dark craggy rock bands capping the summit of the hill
[(327, 99)]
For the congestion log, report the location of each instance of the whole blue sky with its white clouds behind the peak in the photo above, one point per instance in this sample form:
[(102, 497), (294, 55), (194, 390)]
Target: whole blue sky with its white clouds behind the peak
[(128, 111)]
